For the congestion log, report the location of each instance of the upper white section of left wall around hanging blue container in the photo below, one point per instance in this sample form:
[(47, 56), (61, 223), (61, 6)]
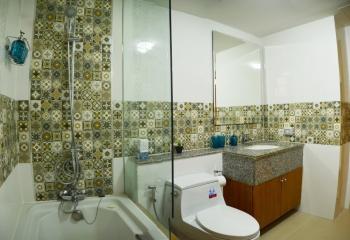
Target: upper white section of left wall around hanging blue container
[(15, 15)]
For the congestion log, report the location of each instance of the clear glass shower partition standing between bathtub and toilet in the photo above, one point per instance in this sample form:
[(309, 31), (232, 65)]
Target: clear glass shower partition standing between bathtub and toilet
[(147, 106)]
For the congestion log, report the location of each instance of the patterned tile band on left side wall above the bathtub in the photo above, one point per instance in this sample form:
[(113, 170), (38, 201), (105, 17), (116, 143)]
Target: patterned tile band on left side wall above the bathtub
[(8, 137)]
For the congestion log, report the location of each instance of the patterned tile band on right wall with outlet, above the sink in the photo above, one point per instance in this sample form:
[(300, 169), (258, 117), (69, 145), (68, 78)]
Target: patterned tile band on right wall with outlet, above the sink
[(315, 123)]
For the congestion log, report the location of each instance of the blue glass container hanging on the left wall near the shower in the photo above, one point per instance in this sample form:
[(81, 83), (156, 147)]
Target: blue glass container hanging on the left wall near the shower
[(19, 49)]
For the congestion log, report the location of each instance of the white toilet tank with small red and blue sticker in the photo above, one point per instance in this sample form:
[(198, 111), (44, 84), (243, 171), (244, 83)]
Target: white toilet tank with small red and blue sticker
[(196, 192)]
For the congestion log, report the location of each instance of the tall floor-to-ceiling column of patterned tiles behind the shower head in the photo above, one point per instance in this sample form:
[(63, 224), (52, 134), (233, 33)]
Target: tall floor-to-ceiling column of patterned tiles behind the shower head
[(49, 106)]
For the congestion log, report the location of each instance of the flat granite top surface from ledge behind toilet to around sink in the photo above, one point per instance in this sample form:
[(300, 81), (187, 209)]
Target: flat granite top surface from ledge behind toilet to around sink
[(237, 150)]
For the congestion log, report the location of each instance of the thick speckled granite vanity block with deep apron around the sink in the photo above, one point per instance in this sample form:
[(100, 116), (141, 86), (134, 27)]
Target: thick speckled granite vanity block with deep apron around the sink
[(254, 167)]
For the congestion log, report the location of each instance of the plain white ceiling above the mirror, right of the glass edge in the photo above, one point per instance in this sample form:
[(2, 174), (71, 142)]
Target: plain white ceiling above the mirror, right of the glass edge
[(260, 17)]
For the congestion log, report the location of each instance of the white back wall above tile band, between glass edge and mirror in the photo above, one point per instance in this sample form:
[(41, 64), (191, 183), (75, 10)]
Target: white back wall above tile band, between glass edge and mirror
[(192, 55)]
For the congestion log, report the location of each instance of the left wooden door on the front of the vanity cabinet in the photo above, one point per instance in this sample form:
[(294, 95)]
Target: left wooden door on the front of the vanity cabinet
[(267, 202)]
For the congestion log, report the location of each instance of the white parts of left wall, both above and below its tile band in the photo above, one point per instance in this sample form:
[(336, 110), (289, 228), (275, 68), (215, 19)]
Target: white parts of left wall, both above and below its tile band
[(15, 15)]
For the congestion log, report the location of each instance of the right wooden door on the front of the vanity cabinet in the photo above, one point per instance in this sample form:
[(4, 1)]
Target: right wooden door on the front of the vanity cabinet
[(291, 190)]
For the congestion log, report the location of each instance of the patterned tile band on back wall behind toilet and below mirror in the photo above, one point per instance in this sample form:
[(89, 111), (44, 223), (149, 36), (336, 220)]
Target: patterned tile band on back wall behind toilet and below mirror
[(193, 126)]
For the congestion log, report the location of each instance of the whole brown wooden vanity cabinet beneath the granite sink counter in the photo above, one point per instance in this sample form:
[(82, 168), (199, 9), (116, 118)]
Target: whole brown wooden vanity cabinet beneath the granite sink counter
[(267, 201)]
